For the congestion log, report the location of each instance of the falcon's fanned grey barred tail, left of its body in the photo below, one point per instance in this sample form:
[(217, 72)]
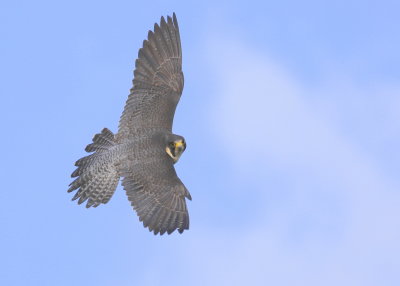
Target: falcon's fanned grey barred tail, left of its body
[(97, 176)]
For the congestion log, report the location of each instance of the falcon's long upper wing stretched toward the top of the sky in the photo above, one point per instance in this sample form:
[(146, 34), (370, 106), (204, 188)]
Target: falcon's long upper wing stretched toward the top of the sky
[(158, 81)]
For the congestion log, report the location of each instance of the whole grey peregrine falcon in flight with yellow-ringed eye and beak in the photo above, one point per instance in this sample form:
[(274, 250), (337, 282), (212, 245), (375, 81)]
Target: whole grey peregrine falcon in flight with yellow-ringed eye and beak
[(144, 150)]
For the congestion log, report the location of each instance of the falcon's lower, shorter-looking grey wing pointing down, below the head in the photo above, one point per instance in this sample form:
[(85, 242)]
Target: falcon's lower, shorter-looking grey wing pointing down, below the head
[(157, 194)]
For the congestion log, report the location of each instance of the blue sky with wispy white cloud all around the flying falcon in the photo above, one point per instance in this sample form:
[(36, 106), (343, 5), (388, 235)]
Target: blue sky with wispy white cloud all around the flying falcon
[(291, 111)]
